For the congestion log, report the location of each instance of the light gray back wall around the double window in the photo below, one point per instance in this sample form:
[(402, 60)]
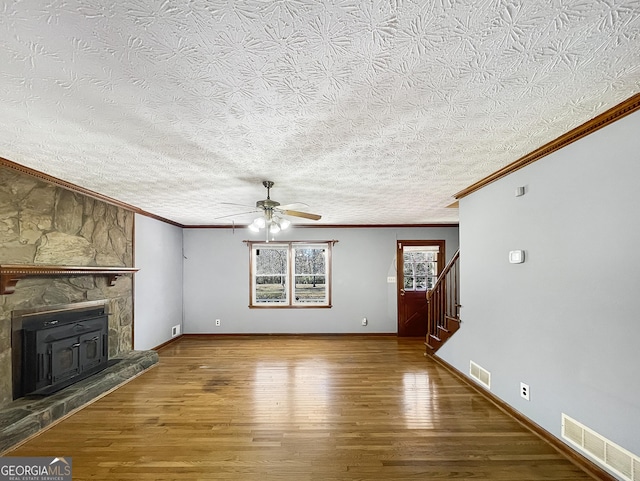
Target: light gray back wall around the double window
[(216, 281)]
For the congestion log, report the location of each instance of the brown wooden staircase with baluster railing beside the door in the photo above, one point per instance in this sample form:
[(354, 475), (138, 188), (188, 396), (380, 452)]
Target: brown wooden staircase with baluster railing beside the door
[(443, 306)]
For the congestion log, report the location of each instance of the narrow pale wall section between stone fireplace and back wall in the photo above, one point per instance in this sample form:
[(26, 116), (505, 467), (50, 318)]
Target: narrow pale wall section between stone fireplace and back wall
[(158, 283)]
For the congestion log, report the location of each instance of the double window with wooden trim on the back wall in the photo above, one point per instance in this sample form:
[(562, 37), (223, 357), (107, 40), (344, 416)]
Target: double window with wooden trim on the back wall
[(290, 274)]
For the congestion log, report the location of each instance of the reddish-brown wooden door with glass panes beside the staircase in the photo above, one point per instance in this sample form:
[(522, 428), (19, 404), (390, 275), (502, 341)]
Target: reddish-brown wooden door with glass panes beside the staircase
[(419, 263)]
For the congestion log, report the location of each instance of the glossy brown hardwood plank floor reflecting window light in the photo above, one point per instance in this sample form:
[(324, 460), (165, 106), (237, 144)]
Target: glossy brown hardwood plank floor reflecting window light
[(298, 408)]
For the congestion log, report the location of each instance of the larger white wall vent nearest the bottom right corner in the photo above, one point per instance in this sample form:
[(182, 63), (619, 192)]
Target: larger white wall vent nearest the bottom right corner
[(618, 459)]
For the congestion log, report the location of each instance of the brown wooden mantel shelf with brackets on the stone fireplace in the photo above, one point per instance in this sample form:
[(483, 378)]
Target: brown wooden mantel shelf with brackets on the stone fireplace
[(10, 274)]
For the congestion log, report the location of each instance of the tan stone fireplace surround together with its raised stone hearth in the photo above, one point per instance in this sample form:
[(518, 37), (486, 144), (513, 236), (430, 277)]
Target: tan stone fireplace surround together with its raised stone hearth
[(42, 223)]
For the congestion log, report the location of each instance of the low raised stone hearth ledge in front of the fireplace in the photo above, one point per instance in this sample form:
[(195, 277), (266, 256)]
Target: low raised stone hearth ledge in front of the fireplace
[(27, 416)]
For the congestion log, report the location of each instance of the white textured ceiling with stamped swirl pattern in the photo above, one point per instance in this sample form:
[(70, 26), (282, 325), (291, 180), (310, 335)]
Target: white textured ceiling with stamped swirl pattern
[(370, 112)]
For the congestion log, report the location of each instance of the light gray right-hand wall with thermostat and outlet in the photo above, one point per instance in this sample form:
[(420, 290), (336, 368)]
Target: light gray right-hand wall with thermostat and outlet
[(566, 322)]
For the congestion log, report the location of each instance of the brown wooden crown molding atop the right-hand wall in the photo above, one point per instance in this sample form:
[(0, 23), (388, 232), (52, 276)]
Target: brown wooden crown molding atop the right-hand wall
[(621, 110)]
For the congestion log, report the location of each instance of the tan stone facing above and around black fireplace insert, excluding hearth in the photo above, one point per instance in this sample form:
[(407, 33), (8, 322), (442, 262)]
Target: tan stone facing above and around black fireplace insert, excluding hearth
[(44, 224)]
